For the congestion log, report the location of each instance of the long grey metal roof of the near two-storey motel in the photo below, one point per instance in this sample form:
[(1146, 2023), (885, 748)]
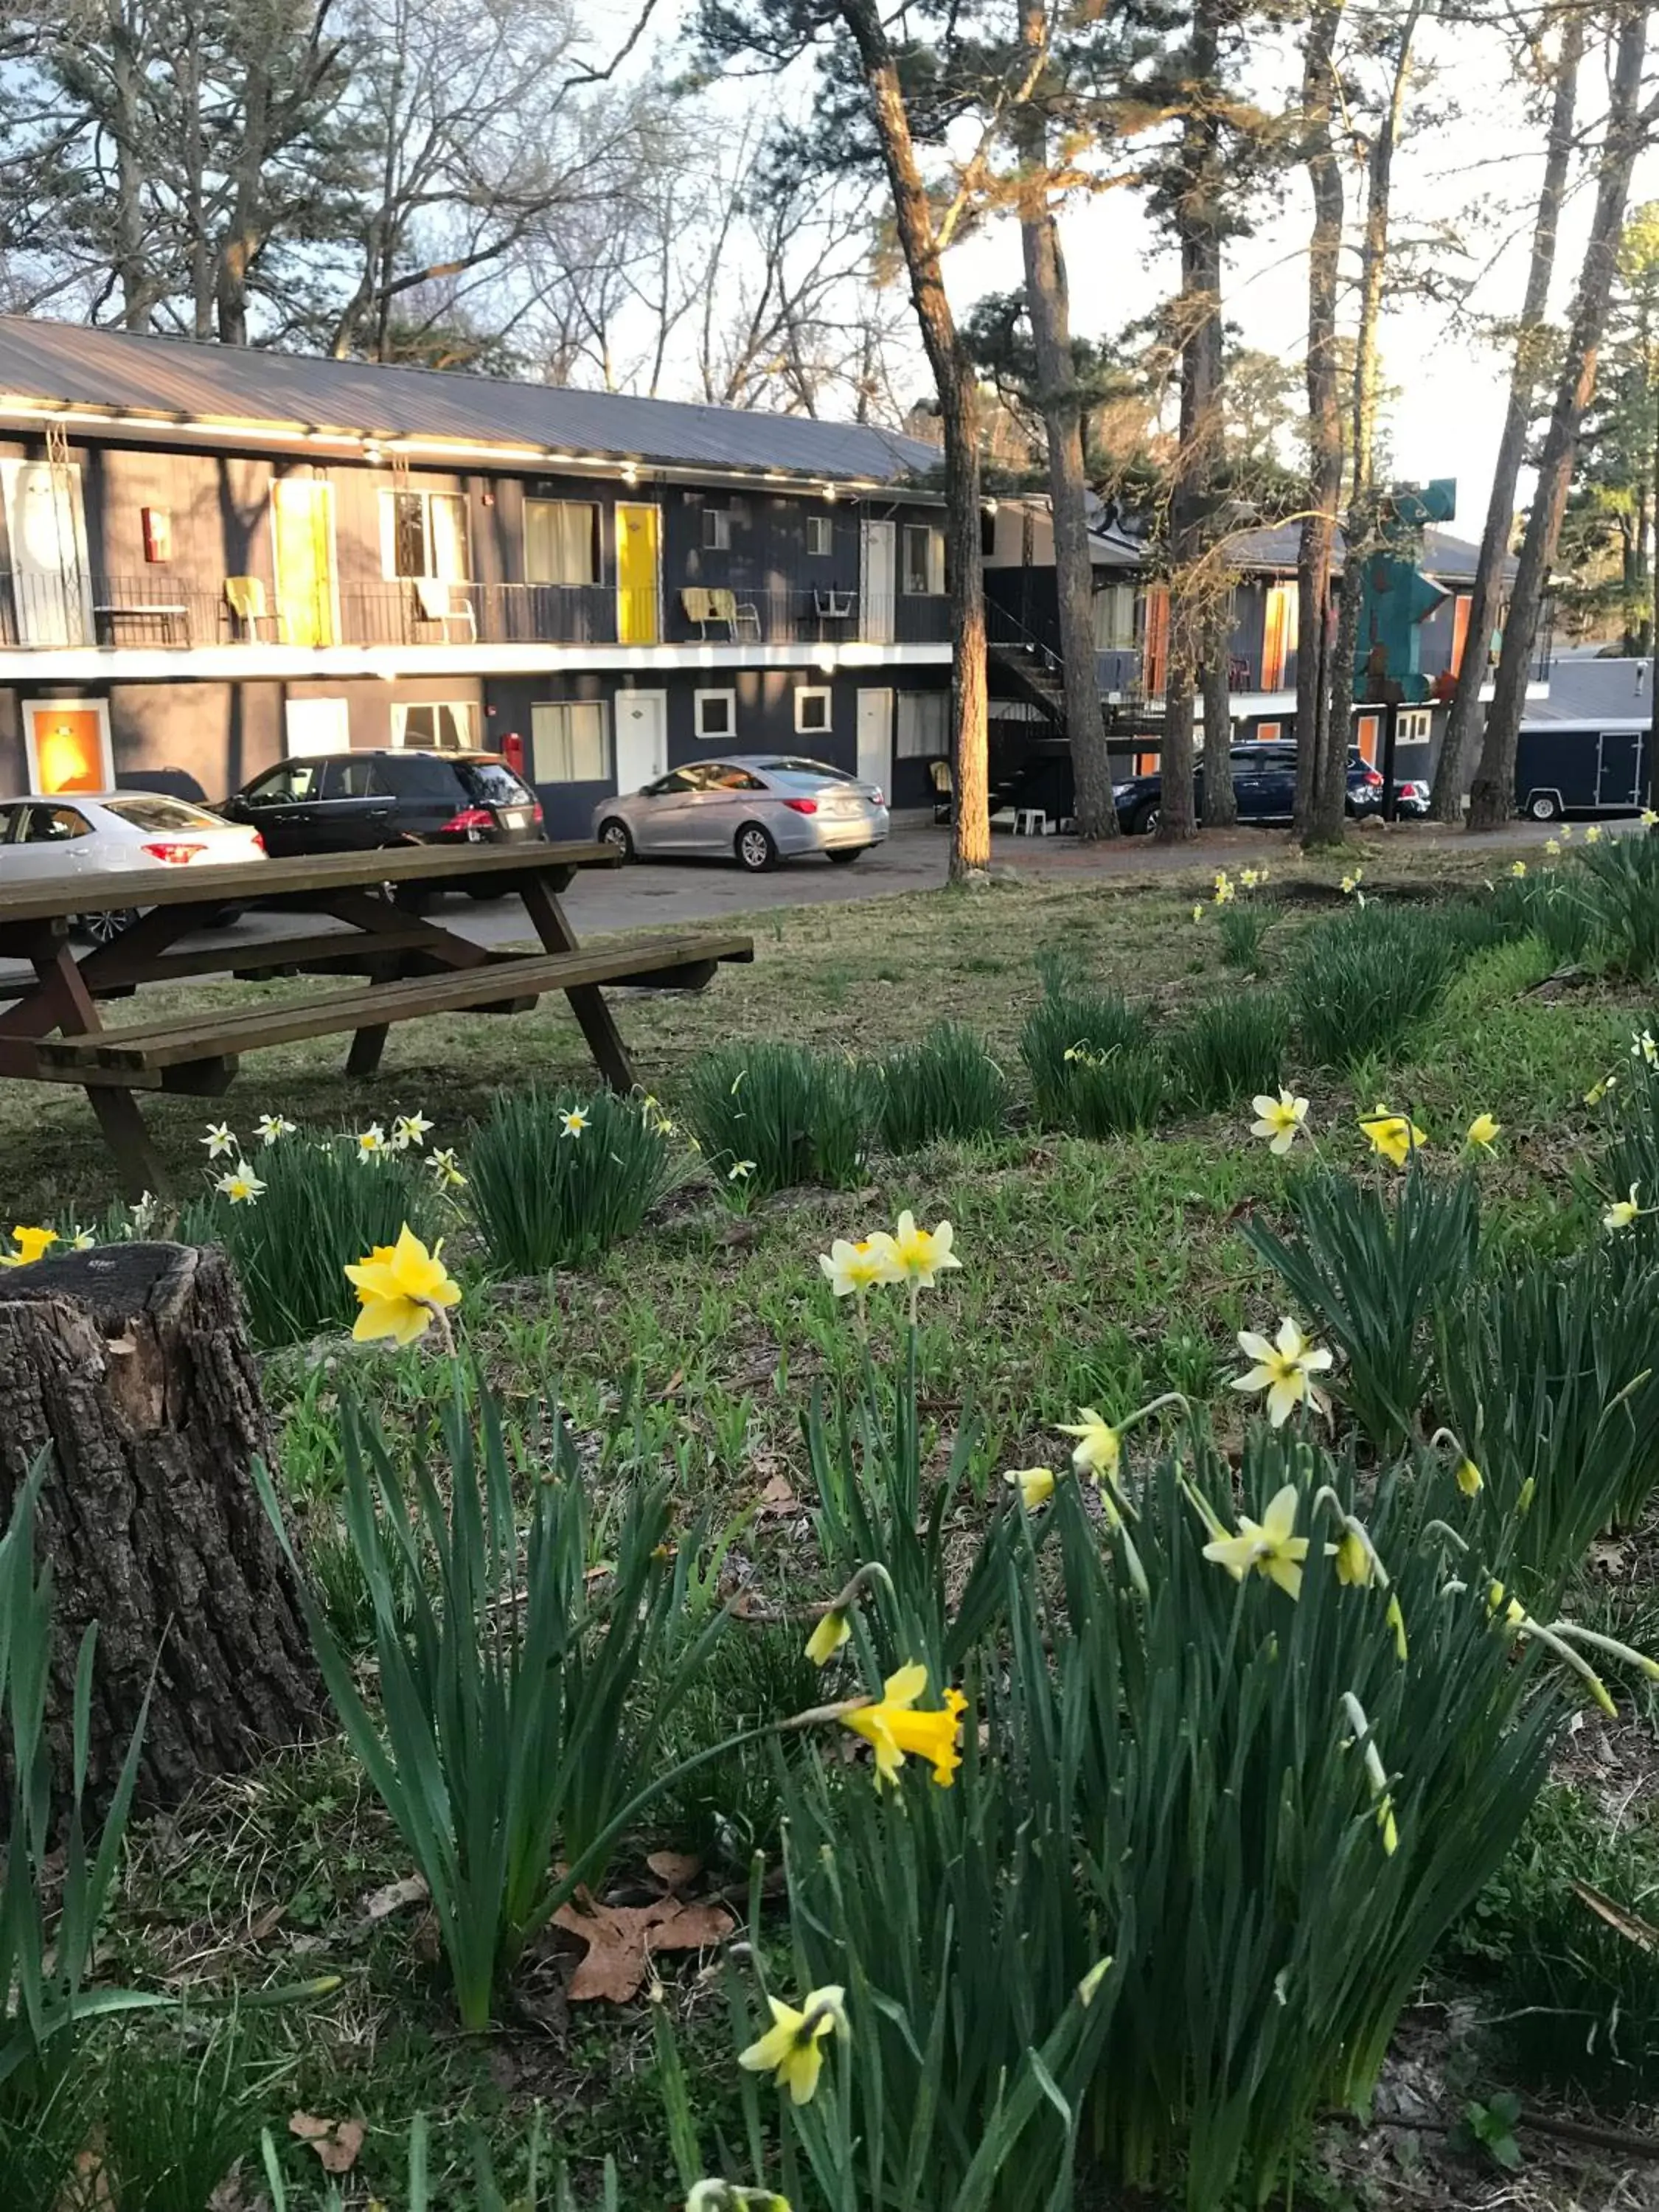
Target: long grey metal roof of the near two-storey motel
[(247, 390)]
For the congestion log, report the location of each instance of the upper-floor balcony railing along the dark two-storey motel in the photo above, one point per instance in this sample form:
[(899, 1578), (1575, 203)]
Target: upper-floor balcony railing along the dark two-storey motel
[(156, 609)]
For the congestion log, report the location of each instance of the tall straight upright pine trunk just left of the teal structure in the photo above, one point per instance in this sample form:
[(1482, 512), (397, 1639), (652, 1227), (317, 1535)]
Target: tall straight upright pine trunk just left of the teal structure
[(1324, 410)]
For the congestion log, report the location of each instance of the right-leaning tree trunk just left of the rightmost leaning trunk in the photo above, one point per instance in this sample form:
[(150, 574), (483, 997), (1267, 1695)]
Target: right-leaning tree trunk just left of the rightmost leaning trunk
[(1488, 598)]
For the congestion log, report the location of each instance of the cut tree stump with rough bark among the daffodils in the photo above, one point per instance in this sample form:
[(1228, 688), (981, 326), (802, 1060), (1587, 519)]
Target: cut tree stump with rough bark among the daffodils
[(132, 1366)]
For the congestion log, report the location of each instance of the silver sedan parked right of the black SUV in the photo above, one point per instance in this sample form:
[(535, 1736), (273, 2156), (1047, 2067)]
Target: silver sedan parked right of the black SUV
[(758, 808)]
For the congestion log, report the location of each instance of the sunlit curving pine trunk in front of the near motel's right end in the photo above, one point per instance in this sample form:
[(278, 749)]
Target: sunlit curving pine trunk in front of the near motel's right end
[(961, 419)]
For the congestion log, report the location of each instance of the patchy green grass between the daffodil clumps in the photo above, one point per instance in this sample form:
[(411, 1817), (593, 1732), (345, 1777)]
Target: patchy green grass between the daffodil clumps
[(1098, 1271)]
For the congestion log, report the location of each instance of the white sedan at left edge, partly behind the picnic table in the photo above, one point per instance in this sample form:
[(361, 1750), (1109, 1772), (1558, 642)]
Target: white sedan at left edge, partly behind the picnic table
[(109, 833)]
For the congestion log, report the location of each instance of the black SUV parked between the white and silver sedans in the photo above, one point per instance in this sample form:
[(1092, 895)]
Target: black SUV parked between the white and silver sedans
[(357, 802)]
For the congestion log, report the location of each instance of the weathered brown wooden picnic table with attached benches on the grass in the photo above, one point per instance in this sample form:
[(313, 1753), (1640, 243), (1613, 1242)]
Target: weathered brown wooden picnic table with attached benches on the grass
[(406, 966)]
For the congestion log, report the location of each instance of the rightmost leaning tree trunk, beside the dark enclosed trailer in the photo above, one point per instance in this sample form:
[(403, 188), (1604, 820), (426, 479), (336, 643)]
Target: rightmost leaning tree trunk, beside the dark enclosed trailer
[(1492, 800)]
